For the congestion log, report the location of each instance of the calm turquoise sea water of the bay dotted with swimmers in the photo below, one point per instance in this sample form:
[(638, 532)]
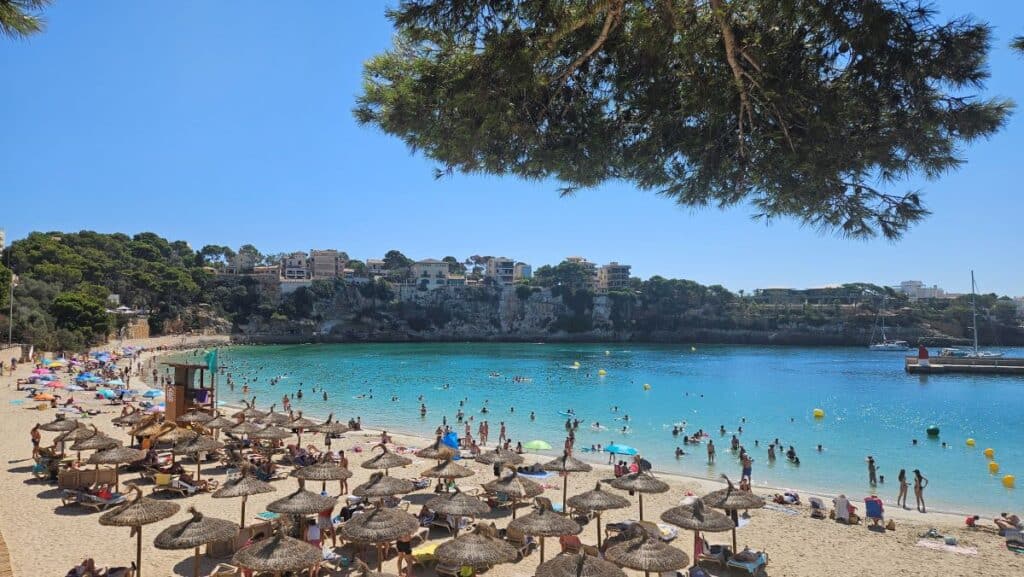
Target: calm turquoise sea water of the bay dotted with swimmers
[(872, 406)]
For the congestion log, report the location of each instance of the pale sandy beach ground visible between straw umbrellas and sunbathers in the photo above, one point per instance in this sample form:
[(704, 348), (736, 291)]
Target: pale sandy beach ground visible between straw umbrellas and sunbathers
[(46, 539)]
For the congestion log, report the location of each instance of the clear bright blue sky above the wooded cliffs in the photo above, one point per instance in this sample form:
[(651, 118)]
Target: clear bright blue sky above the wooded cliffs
[(231, 122)]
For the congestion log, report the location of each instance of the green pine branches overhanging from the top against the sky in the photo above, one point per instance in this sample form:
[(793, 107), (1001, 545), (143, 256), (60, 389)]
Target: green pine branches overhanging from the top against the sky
[(812, 110)]
